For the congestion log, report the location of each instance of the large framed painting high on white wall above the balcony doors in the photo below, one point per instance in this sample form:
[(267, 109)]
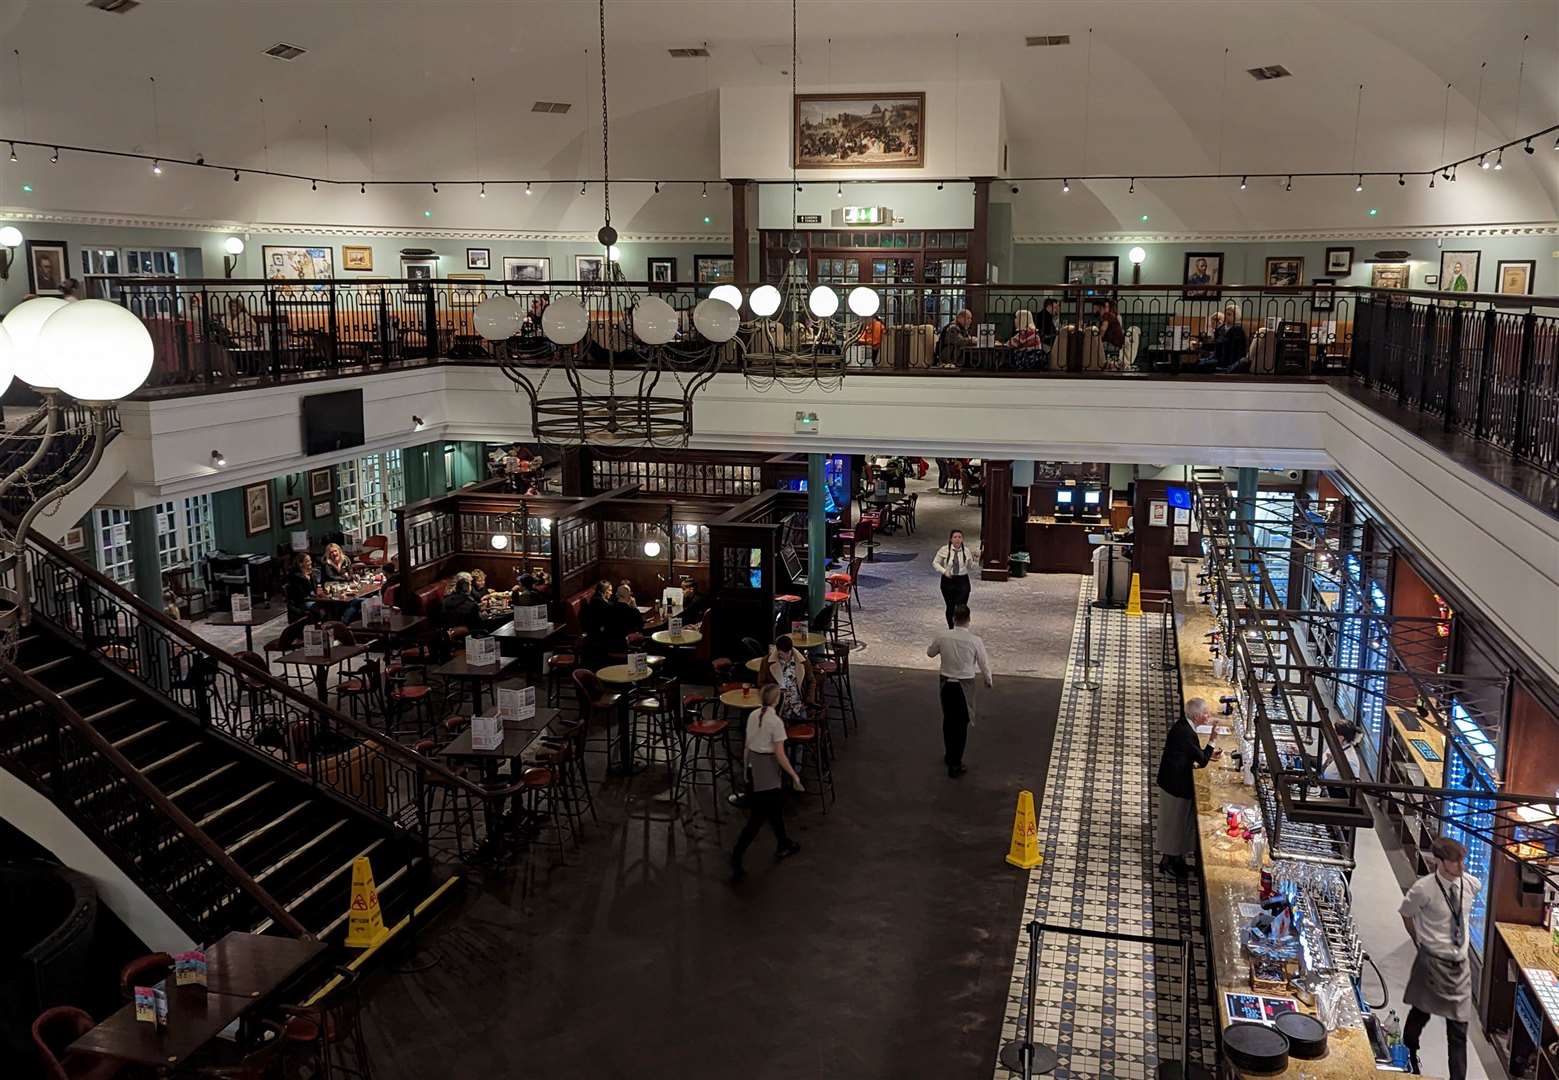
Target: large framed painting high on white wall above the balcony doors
[(860, 132)]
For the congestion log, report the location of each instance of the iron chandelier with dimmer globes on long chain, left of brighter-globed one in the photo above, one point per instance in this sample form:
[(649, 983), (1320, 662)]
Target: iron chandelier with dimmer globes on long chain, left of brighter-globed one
[(629, 365)]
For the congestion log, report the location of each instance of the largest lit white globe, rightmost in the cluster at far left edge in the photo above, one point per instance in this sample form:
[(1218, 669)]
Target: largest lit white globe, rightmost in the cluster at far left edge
[(101, 350)]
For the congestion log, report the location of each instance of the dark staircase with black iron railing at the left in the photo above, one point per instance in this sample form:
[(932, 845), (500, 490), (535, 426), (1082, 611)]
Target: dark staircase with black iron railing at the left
[(232, 800)]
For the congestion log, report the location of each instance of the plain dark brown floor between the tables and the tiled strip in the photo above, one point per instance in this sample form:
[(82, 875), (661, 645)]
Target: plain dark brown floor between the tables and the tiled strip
[(883, 950)]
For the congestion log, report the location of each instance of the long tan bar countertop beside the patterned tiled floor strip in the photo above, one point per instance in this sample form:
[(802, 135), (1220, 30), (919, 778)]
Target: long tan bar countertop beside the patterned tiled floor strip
[(1225, 864)]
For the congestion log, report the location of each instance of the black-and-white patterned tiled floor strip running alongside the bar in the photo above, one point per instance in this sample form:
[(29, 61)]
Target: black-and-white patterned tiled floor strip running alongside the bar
[(1109, 1008)]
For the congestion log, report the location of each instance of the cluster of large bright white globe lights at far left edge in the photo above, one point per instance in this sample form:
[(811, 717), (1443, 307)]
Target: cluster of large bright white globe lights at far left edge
[(93, 351)]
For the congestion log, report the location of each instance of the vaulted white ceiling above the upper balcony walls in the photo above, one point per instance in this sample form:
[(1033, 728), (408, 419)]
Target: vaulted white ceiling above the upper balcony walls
[(1150, 102)]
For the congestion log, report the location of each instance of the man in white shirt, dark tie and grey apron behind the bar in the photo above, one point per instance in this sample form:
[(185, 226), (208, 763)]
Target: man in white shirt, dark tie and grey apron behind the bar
[(1437, 912)]
